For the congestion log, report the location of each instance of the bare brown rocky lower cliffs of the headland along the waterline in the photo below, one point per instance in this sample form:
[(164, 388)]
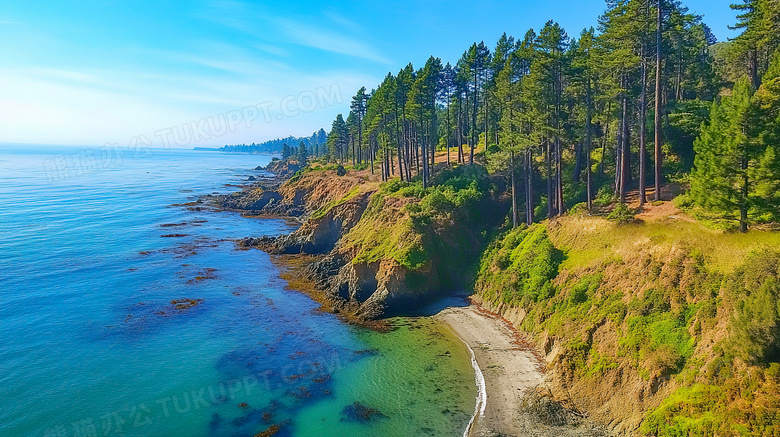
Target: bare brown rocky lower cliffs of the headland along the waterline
[(362, 291)]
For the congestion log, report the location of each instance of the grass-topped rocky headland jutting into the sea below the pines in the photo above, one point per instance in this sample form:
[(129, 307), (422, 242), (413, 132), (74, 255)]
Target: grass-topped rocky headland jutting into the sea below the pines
[(376, 256)]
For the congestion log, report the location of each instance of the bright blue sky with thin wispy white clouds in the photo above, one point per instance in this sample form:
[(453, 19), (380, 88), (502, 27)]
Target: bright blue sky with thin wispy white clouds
[(201, 73)]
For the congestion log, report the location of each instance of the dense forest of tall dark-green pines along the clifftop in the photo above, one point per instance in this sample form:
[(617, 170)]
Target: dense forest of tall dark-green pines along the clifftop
[(645, 98)]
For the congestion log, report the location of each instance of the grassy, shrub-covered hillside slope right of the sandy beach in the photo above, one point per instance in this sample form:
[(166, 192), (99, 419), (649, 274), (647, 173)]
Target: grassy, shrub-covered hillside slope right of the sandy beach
[(665, 325)]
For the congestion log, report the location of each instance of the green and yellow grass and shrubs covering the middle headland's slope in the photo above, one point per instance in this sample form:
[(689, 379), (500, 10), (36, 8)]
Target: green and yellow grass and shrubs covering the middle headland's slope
[(414, 225)]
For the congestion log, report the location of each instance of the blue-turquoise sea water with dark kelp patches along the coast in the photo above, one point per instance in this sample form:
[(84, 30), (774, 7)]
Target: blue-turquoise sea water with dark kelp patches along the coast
[(109, 328)]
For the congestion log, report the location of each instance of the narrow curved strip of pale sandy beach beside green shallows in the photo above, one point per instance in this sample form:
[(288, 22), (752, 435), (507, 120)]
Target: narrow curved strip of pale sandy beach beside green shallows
[(510, 368)]
